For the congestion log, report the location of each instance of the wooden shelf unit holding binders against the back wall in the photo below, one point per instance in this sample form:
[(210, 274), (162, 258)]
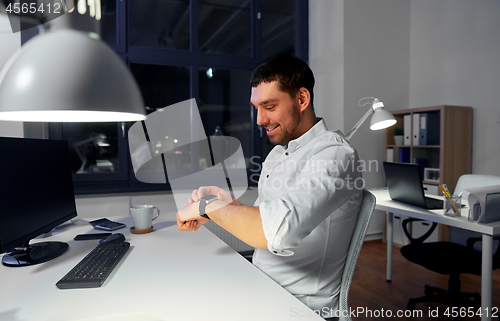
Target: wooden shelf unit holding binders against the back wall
[(453, 155)]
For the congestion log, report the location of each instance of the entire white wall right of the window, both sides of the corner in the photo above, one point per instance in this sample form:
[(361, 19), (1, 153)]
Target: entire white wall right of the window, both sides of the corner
[(408, 53)]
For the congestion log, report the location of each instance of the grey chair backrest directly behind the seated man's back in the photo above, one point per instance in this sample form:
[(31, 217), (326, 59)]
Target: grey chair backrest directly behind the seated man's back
[(364, 216)]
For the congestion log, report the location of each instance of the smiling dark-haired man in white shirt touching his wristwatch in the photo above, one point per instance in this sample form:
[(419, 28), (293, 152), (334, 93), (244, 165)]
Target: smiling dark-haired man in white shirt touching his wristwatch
[(307, 206)]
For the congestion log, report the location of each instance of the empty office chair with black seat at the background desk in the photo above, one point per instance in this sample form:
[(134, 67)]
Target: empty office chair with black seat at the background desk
[(461, 254)]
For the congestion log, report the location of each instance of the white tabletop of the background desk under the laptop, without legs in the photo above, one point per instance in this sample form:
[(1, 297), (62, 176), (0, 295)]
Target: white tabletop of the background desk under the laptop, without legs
[(384, 203)]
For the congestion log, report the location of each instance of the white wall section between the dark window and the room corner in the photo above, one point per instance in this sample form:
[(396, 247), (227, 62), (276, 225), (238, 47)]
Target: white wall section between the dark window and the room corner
[(360, 49)]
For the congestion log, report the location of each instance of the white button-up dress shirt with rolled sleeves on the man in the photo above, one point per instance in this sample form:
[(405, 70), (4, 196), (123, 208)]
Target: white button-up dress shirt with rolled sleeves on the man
[(309, 197)]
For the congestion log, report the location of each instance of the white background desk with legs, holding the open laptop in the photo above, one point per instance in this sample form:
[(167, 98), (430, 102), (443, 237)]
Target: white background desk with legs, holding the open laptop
[(384, 203)]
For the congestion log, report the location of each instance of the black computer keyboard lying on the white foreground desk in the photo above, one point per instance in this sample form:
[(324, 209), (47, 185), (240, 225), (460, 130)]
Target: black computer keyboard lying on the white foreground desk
[(93, 270)]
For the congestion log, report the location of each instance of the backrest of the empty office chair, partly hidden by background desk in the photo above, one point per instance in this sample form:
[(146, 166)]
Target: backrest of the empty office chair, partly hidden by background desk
[(458, 235)]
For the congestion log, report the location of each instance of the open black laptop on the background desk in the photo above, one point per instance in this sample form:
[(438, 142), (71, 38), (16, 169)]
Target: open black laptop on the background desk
[(404, 183)]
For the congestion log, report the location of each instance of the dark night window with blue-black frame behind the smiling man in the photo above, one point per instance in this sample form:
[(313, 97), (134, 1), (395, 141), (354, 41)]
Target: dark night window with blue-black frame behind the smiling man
[(181, 49)]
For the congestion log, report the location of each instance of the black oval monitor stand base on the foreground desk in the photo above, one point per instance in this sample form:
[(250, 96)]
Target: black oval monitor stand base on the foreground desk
[(34, 254)]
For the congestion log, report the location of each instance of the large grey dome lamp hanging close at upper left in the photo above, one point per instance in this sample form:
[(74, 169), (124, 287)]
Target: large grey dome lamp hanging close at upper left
[(68, 75)]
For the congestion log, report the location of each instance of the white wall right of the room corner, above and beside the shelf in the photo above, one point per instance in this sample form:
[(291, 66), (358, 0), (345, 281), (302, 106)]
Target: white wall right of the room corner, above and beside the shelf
[(455, 50)]
